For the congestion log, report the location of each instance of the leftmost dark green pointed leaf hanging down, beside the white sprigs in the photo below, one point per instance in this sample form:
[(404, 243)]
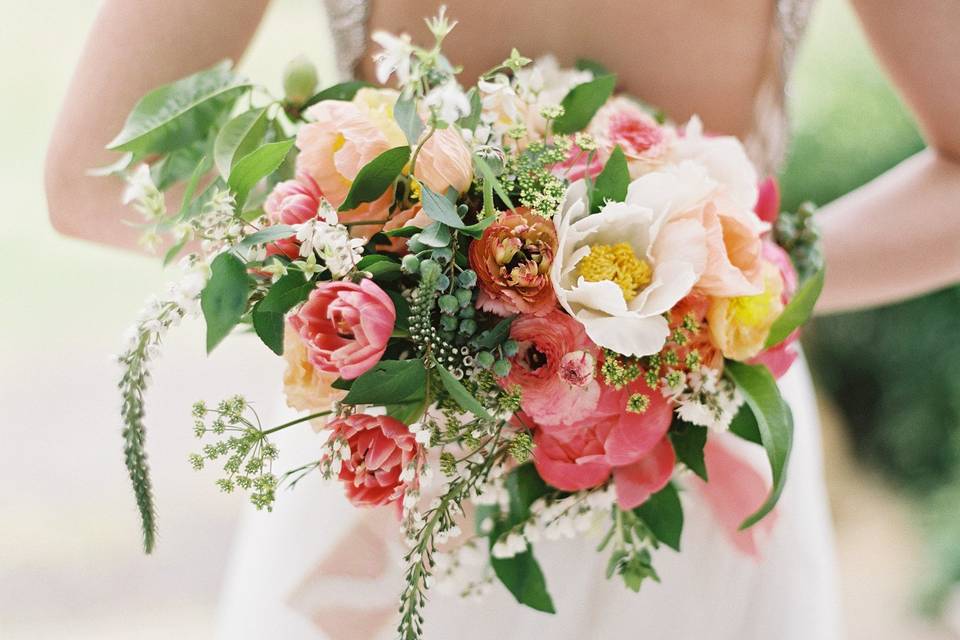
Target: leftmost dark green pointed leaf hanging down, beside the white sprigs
[(224, 299)]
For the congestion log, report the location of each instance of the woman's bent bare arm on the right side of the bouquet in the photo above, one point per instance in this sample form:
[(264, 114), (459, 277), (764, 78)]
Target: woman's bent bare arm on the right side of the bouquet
[(899, 235)]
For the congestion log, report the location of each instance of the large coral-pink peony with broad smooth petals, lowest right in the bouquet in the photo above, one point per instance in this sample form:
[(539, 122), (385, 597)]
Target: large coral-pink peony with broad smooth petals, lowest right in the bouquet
[(631, 446)]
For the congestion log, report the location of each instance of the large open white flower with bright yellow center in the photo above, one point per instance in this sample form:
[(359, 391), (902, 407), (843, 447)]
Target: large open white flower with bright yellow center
[(619, 270)]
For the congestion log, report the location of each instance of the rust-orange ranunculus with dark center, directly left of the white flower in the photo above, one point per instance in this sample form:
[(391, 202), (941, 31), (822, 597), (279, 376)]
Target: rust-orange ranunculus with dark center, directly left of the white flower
[(513, 260)]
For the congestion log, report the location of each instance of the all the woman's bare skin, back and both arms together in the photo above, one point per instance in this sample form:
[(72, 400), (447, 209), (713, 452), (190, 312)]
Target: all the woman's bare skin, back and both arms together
[(685, 55)]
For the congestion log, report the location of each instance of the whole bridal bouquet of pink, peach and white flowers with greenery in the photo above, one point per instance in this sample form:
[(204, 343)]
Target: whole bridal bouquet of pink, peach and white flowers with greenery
[(533, 299)]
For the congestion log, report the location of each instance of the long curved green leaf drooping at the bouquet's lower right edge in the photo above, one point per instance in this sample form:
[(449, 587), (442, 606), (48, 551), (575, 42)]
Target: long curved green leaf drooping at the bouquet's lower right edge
[(774, 421)]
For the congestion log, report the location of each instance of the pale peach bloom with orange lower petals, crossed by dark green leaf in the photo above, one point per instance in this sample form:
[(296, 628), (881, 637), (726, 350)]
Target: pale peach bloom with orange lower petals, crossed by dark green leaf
[(340, 139)]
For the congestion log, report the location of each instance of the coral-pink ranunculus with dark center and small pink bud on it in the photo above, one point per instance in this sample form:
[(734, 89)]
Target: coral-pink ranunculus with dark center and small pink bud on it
[(554, 368)]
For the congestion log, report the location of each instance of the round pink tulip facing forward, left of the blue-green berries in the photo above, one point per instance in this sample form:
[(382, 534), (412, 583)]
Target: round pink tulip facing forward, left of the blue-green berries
[(346, 326)]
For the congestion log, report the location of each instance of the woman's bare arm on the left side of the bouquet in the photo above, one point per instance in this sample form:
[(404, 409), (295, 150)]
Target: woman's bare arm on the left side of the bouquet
[(134, 46)]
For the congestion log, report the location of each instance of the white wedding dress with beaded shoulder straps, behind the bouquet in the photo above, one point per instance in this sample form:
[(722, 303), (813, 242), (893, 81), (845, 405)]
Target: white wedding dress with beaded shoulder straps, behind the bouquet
[(316, 568)]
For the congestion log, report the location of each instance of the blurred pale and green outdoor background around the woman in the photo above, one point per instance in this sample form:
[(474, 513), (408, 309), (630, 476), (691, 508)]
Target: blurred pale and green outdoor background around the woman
[(70, 562)]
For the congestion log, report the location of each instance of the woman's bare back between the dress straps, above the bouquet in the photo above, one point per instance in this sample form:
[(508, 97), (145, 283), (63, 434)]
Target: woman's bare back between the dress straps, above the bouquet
[(682, 56)]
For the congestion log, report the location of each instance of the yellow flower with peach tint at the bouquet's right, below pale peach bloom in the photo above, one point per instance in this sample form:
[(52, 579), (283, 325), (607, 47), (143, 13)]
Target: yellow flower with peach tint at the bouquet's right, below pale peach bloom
[(739, 326)]
